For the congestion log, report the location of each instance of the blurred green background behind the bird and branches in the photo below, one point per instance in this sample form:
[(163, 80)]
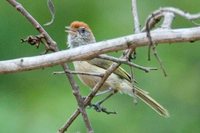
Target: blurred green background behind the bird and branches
[(39, 102)]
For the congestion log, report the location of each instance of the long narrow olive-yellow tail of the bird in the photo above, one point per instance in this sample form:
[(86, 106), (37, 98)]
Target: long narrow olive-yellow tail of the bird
[(151, 102)]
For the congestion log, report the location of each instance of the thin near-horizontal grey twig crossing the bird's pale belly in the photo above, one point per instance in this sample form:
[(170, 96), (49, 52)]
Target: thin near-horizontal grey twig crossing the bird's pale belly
[(79, 73)]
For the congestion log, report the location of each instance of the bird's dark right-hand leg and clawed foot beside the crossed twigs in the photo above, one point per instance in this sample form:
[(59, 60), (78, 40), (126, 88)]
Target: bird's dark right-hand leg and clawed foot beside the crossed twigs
[(97, 106)]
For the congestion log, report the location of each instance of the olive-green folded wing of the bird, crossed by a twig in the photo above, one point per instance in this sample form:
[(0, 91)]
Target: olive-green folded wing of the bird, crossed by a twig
[(105, 64)]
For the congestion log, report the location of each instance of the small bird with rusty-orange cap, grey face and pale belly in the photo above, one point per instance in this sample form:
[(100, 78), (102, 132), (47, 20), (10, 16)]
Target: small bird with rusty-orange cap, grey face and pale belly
[(79, 34)]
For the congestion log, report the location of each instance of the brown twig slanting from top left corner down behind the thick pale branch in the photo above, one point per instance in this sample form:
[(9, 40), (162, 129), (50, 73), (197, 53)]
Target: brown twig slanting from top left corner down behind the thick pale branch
[(53, 45)]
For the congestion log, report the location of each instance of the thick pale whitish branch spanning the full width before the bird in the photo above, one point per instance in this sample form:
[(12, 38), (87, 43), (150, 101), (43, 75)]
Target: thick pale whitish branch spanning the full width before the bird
[(92, 50)]
